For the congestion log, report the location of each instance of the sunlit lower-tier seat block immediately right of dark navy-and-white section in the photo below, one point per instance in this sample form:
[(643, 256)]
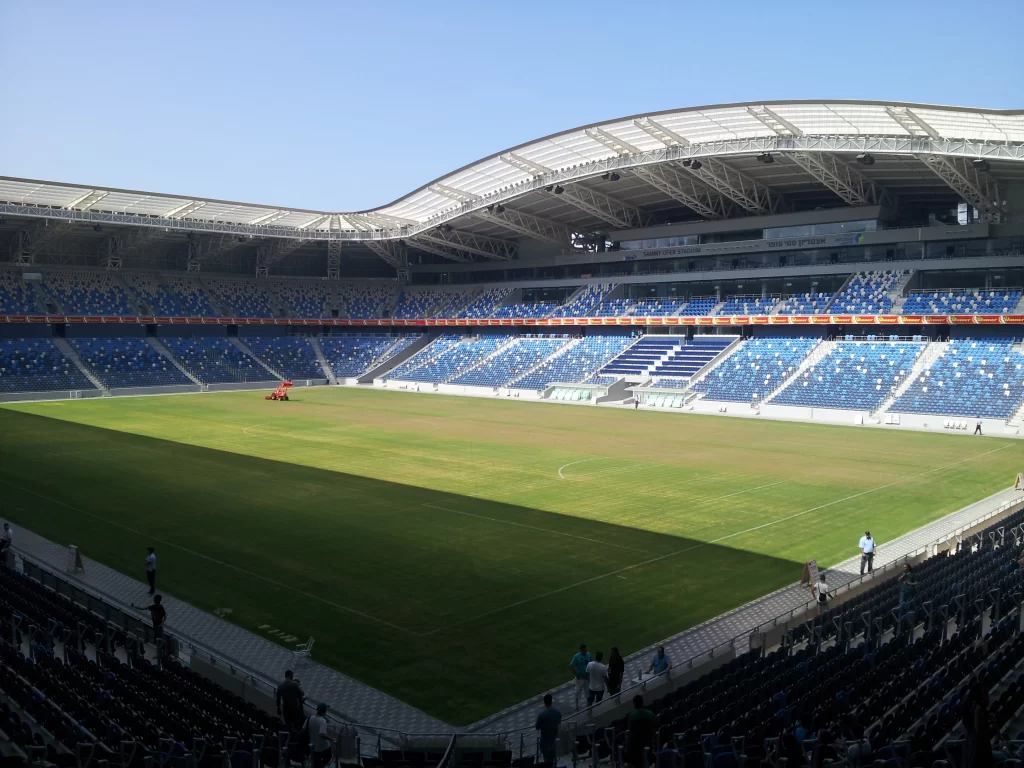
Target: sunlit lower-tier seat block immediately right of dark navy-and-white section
[(755, 370)]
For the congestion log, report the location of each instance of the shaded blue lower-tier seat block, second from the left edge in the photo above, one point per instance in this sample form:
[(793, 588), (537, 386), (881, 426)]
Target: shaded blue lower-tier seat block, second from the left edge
[(127, 363)]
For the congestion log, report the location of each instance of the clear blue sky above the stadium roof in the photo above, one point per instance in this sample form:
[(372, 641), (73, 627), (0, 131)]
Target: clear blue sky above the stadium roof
[(343, 106)]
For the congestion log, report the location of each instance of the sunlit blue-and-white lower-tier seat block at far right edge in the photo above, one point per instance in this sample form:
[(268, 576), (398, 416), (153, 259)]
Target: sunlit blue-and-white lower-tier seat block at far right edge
[(983, 378)]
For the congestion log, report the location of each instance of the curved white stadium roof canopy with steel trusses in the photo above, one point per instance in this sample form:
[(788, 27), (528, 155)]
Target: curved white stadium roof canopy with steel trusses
[(712, 162)]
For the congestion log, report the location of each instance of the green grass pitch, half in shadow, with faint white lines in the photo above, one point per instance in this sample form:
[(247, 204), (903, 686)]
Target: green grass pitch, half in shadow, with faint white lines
[(454, 551)]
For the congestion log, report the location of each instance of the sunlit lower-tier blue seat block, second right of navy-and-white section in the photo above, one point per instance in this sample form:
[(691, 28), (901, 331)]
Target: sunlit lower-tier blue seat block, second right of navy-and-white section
[(855, 375)]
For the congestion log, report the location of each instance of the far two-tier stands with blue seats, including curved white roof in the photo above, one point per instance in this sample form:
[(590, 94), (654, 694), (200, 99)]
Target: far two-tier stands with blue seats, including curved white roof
[(789, 231)]
